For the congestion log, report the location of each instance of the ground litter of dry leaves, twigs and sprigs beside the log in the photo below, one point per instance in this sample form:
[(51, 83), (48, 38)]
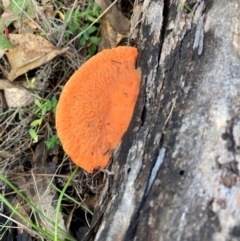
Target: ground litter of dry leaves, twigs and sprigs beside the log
[(35, 64)]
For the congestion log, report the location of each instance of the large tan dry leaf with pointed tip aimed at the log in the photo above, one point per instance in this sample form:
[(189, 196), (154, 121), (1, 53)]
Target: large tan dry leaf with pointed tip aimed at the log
[(30, 52)]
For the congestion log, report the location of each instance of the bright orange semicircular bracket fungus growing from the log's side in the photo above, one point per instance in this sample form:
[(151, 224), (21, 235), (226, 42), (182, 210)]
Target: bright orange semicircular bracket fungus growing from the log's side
[(96, 106)]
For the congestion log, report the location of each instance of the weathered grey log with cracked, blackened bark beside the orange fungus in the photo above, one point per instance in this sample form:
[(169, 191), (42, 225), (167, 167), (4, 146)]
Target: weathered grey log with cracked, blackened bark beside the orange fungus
[(176, 174)]
